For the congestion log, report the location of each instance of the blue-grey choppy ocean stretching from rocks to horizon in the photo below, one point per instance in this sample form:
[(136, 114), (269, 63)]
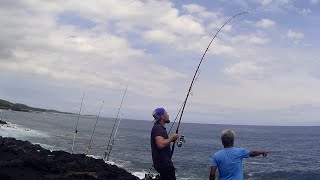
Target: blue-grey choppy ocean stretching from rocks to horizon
[(293, 150)]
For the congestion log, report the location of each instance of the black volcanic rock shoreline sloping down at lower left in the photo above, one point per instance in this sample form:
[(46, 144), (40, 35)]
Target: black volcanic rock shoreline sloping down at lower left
[(23, 160)]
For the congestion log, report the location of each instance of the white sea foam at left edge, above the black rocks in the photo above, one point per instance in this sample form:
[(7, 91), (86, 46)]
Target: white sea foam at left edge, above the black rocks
[(19, 132)]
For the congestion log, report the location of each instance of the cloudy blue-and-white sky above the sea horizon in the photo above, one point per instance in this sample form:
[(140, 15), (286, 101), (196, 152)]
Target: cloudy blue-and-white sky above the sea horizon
[(262, 68)]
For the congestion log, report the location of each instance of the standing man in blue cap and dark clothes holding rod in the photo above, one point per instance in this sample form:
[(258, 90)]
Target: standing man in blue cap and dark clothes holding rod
[(160, 145)]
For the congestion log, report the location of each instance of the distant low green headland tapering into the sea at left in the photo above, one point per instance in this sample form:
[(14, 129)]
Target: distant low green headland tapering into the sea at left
[(22, 107)]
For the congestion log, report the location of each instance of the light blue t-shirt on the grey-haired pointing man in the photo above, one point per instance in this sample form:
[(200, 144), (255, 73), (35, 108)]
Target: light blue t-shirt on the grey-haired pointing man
[(229, 162)]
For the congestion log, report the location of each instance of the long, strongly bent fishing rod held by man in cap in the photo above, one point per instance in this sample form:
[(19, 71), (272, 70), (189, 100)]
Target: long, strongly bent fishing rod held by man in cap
[(195, 74)]
